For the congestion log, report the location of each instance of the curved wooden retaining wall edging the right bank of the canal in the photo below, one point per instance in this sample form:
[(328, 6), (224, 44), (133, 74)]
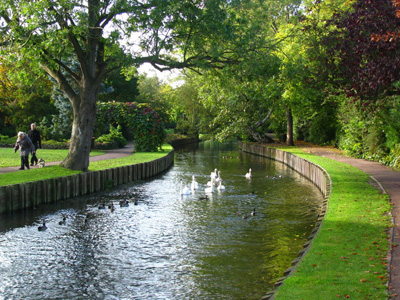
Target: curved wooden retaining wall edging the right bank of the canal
[(315, 174)]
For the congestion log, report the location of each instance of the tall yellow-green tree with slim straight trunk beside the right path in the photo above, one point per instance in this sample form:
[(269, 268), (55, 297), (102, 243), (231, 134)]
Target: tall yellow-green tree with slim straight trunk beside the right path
[(303, 79)]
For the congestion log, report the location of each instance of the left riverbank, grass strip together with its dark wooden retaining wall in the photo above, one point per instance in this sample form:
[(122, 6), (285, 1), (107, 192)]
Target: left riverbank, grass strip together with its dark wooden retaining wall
[(50, 187)]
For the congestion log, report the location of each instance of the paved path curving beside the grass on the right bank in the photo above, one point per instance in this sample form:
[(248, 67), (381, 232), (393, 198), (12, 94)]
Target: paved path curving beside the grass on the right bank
[(390, 180)]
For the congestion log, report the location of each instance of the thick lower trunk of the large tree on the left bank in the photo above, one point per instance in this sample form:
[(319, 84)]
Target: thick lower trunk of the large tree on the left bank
[(84, 109)]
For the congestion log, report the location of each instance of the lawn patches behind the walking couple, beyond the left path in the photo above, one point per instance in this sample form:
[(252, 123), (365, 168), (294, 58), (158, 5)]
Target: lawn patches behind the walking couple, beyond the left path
[(8, 158)]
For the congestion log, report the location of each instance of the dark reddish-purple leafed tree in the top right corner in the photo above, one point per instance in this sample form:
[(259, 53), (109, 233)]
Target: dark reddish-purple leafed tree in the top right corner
[(367, 48)]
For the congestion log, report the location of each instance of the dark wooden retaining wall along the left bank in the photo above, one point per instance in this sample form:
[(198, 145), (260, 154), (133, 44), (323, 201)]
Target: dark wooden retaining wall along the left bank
[(26, 195)]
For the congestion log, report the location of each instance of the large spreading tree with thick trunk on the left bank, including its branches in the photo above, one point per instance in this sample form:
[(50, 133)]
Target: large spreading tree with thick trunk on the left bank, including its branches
[(53, 34)]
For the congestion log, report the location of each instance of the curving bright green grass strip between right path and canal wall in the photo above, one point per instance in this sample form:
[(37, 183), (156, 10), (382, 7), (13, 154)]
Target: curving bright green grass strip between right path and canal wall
[(347, 259)]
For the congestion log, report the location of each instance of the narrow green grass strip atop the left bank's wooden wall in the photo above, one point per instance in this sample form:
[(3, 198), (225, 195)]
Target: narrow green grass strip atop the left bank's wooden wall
[(58, 171)]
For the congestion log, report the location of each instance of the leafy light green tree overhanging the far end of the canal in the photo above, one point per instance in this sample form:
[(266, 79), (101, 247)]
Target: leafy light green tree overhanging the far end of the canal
[(241, 99)]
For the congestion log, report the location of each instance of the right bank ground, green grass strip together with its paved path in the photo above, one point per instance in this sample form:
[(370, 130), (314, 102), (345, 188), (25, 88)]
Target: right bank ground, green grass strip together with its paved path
[(356, 248)]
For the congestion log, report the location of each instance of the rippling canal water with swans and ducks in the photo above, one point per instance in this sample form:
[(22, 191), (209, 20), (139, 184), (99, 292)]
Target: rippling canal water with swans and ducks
[(165, 245)]
